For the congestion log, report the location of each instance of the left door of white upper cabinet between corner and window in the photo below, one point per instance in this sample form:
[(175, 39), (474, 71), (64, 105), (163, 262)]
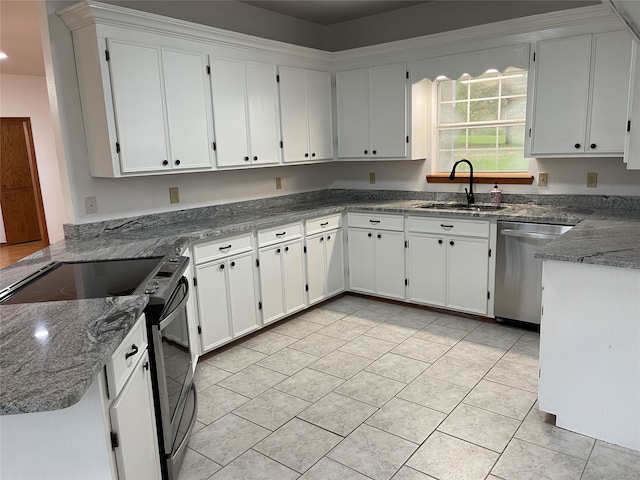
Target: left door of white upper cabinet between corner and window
[(352, 92)]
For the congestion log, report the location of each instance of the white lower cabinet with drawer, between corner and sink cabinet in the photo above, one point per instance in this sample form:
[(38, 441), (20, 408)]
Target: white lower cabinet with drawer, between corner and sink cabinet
[(376, 255)]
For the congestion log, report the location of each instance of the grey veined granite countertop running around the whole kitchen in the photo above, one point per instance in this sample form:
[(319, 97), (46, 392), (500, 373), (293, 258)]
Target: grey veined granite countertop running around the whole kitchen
[(53, 372)]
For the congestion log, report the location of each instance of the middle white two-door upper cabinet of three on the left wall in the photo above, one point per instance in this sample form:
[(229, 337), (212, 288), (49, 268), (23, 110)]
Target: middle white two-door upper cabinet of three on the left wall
[(245, 112)]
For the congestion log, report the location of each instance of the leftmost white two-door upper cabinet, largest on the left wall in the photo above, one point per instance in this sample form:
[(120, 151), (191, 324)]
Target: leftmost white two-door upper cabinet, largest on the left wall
[(161, 107)]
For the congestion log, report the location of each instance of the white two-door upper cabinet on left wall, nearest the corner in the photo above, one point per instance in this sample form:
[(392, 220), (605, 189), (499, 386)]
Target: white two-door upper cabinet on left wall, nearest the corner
[(305, 106)]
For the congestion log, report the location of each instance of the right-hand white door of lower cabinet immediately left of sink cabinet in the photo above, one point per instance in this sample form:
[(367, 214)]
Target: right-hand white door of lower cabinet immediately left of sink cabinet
[(390, 273)]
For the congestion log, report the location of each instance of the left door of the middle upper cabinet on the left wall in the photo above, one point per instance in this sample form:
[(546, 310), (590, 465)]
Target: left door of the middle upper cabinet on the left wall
[(230, 112)]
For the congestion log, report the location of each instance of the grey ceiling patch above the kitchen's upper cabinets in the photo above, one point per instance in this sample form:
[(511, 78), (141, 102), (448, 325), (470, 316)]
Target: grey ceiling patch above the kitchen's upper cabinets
[(329, 12)]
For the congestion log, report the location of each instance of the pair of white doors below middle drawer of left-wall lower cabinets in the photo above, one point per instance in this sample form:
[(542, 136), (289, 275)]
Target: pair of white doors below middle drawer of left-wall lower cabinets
[(282, 280)]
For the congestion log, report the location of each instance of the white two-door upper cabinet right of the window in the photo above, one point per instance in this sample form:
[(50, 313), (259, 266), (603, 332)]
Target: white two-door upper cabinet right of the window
[(579, 96)]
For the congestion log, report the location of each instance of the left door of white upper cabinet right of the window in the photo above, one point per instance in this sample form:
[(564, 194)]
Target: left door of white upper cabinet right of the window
[(561, 78)]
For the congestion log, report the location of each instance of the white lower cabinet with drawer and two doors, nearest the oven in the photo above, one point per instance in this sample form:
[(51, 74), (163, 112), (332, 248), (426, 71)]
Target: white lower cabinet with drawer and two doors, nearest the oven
[(226, 288)]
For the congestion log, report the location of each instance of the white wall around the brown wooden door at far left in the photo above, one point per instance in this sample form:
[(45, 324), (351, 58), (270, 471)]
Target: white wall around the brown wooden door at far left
[(27, 96)]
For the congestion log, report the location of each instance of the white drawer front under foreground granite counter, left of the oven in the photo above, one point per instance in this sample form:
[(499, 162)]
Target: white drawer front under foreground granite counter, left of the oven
[(126, 357)]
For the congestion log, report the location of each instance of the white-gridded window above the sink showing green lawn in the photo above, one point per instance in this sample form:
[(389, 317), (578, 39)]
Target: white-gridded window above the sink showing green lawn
[(482, 119)]
